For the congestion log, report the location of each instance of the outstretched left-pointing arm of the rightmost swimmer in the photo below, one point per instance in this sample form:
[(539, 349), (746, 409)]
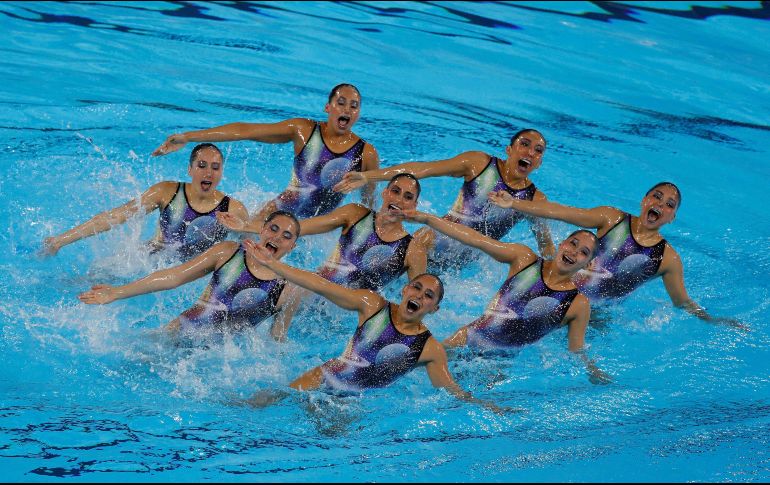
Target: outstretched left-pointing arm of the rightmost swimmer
[(598, 217)]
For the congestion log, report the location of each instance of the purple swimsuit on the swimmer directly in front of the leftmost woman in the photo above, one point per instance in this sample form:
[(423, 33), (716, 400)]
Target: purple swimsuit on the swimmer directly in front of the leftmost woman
[(234, 298)]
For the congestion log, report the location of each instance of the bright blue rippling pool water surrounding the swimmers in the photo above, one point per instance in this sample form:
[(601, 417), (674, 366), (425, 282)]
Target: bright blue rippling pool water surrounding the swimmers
[(626, 94)]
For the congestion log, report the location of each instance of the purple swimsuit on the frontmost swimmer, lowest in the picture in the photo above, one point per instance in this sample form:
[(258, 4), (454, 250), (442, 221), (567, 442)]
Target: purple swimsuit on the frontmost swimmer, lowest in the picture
[(376, 356)]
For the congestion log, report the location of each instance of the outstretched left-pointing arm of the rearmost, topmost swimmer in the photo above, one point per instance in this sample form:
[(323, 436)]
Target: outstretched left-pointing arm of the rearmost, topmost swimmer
[(281, 132)]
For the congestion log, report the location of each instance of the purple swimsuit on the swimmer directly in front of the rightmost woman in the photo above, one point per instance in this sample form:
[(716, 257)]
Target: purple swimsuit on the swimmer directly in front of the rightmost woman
[(523, 311)]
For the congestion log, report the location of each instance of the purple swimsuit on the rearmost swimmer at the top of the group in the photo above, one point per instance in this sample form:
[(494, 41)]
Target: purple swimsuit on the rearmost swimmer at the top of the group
[(316, 170)]
